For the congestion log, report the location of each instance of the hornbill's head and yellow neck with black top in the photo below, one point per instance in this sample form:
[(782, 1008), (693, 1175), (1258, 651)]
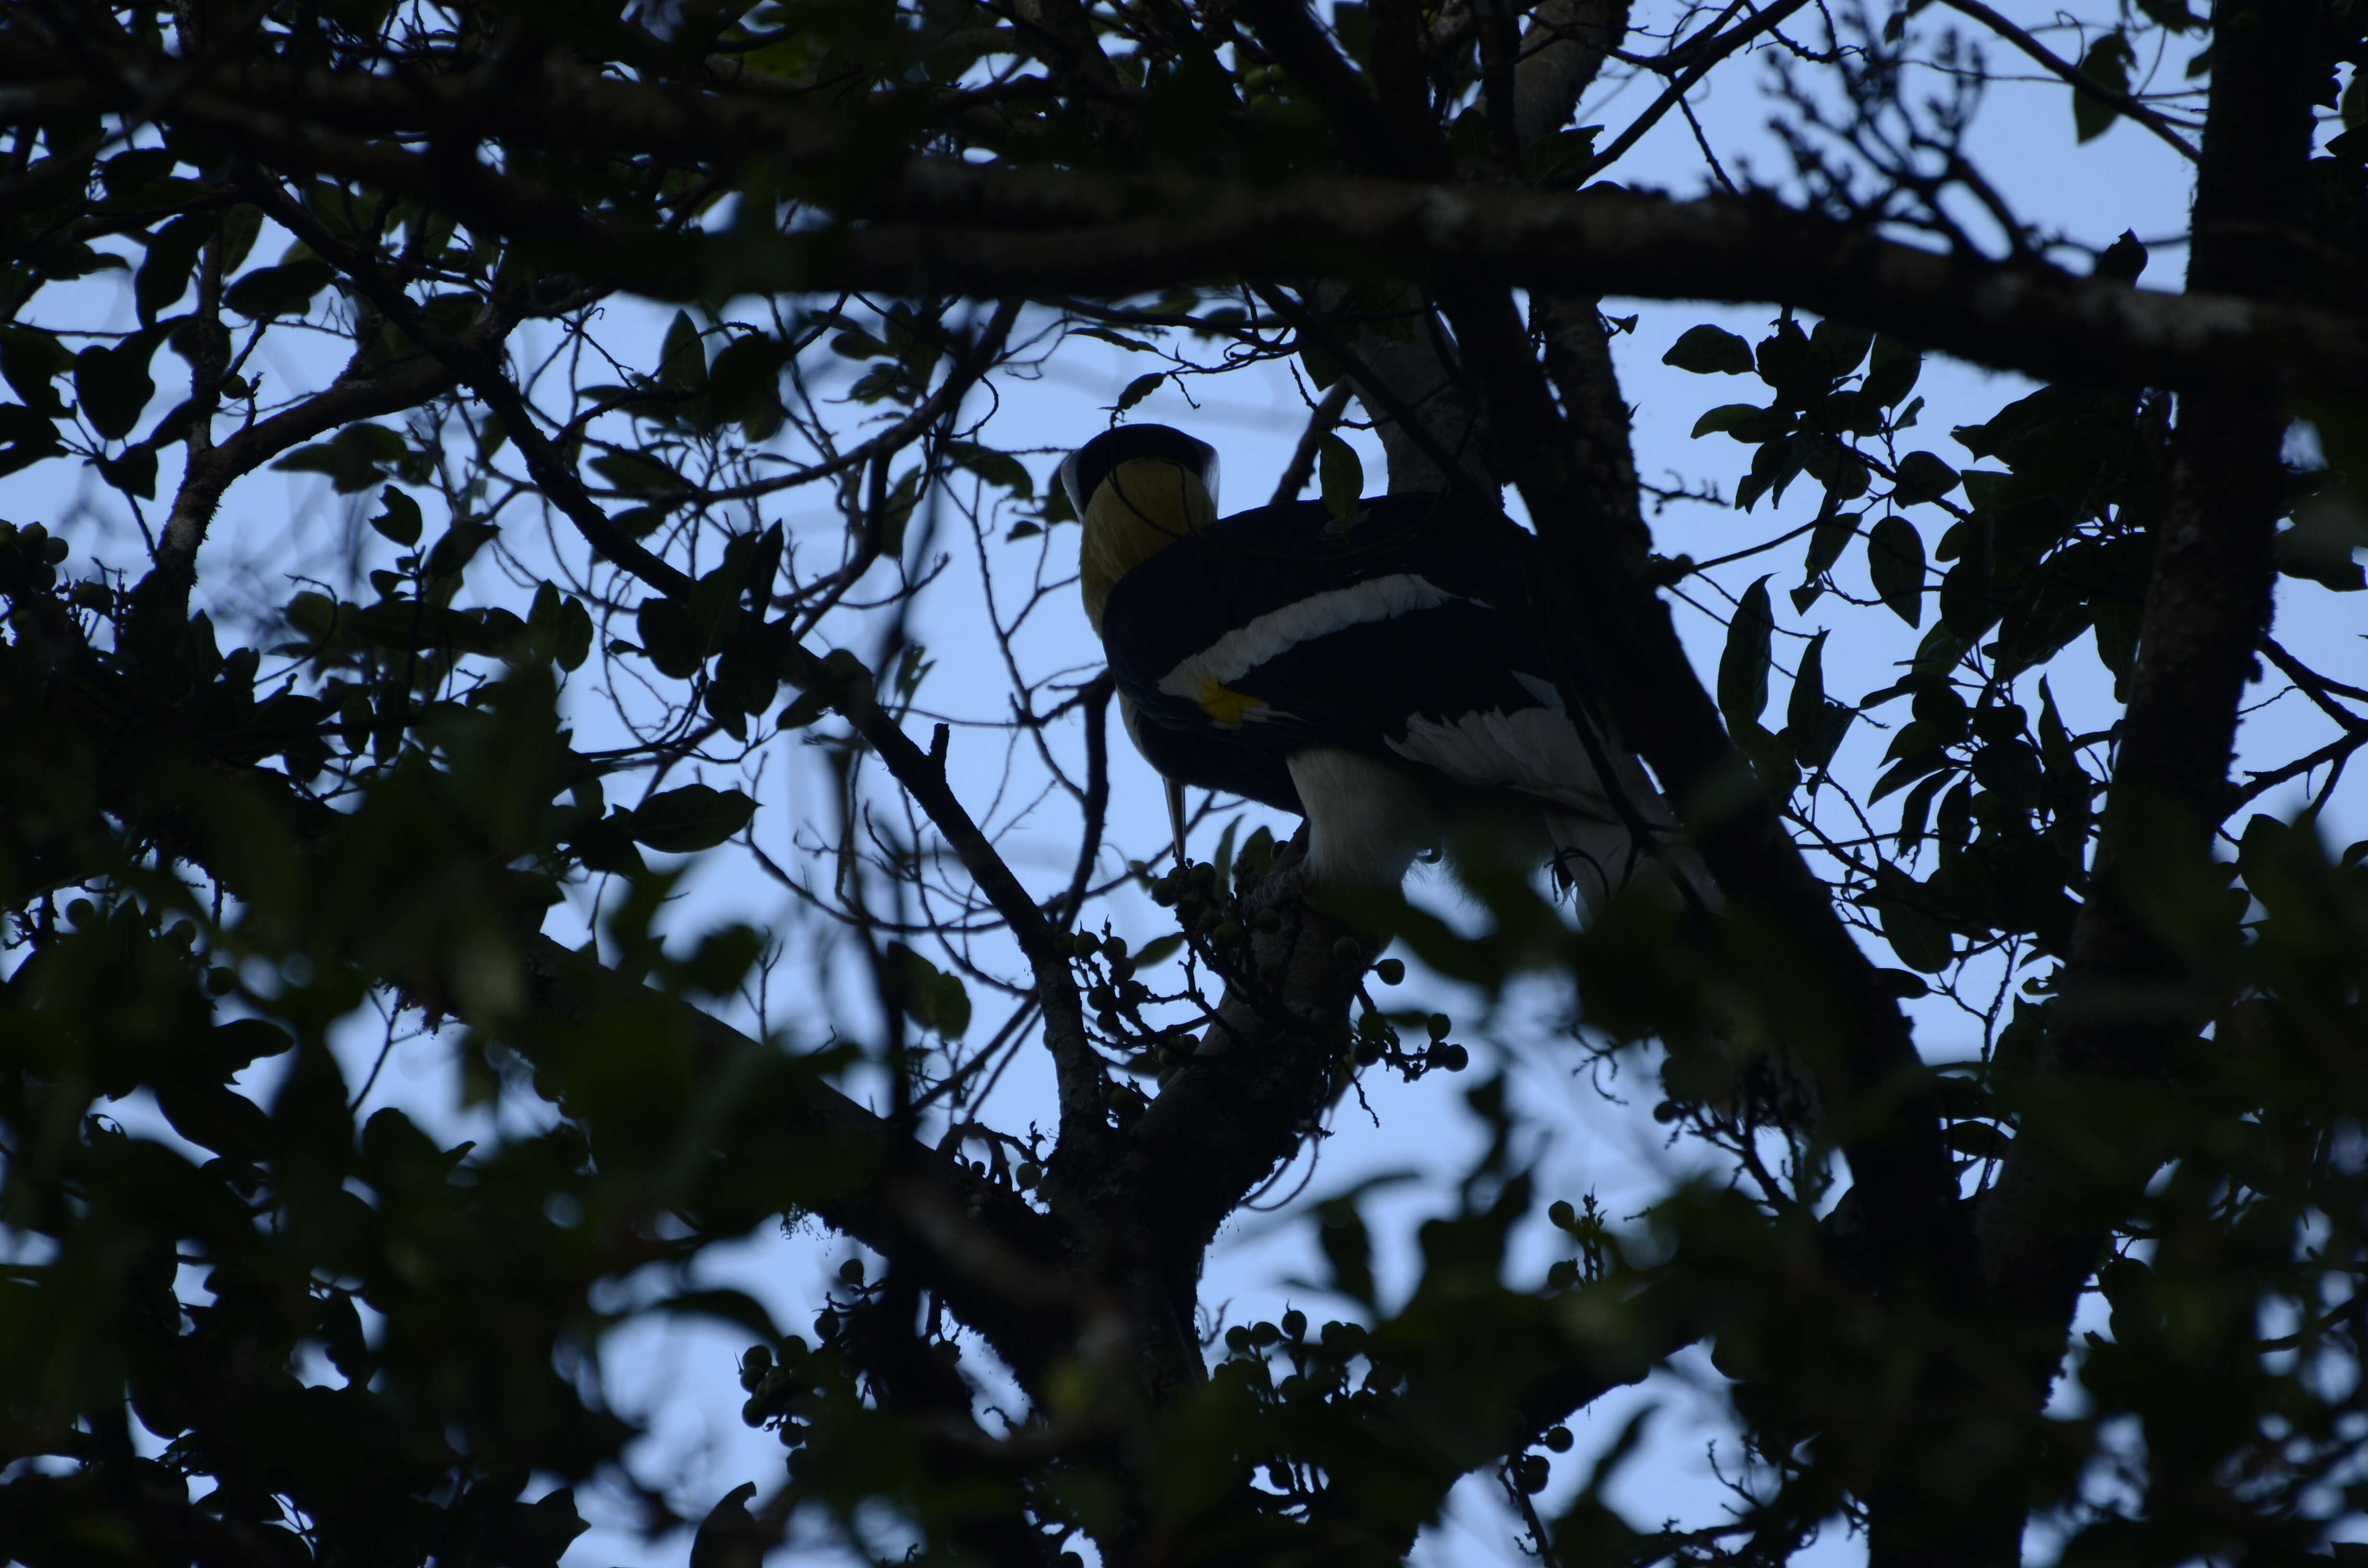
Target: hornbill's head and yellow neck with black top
[(1135, 489)]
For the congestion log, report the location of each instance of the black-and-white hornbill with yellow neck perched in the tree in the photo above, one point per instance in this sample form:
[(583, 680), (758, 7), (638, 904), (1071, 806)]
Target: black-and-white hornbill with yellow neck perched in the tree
[(1379, 674)]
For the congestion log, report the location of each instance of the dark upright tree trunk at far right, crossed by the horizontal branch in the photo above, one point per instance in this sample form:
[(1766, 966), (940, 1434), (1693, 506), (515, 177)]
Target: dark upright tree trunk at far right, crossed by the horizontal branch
[(2123, 1003)]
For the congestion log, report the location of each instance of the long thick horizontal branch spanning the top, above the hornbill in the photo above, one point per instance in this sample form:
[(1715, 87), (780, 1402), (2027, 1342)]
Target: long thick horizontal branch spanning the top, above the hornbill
[(946, 226)]
